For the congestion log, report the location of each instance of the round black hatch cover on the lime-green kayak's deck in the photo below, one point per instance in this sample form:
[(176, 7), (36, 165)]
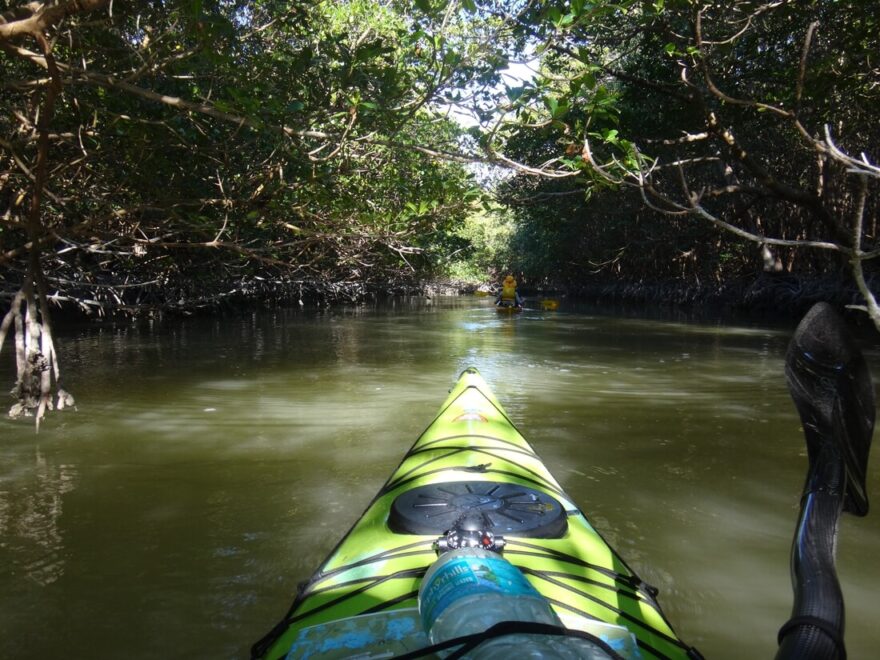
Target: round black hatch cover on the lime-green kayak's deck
[(506, 509)]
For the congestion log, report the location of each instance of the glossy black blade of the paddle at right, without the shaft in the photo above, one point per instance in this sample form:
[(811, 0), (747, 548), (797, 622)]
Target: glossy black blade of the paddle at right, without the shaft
[(829, 381)]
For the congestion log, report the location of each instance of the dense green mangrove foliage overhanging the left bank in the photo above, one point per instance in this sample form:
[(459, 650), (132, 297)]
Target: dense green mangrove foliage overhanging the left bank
[(198, 145)]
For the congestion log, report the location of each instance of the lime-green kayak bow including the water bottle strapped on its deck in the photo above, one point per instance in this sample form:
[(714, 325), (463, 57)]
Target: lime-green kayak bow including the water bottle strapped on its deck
[(472, 512)]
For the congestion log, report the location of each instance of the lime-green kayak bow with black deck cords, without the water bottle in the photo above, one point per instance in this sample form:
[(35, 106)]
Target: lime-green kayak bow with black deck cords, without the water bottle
[(470, 469)]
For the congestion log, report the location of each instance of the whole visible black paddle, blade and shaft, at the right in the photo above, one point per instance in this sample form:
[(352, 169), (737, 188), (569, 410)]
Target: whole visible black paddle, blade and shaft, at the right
[(831, 387)]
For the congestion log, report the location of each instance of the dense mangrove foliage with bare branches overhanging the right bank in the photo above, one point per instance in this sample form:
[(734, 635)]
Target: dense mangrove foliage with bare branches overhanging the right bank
[(717, 114)]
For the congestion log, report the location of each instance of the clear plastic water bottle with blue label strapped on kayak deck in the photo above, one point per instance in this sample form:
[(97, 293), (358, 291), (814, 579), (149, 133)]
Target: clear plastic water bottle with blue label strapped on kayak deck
[(468, 590)]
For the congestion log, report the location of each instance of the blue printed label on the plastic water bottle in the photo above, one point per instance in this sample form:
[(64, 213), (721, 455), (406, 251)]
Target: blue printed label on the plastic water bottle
[(462, 577)]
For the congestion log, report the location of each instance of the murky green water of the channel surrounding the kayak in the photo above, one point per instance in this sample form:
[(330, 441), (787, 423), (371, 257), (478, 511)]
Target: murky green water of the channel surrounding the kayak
[(213, 463)]
